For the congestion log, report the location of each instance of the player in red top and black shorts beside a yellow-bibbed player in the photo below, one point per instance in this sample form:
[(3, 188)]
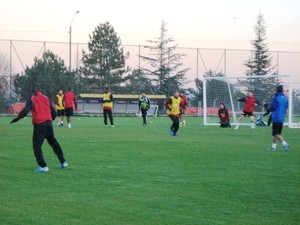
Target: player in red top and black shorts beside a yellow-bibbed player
[(70, 102)]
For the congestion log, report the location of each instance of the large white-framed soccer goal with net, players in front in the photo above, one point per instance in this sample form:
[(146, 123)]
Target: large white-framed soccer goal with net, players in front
[(226, 90)]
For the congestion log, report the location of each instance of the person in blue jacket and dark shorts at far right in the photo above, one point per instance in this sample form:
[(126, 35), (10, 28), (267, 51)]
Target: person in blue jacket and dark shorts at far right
[(278, 108)]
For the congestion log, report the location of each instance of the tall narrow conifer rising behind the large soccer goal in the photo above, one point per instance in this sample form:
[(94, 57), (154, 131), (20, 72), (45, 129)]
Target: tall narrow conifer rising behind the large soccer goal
[(260, 64)]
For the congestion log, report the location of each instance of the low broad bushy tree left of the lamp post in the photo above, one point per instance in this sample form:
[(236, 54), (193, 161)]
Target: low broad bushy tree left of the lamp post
[(49, 72)]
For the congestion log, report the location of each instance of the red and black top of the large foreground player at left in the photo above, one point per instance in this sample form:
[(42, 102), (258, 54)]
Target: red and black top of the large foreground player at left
[(41, 108)]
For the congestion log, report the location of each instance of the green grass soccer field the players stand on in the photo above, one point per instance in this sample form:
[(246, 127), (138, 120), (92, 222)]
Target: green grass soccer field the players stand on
[(138, 175)]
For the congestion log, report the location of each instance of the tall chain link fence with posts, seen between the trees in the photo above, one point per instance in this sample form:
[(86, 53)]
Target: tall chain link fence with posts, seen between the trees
[(20, 54)]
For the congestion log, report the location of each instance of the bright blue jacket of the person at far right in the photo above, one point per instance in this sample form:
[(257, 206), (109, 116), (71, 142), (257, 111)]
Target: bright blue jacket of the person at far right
[(278, 107)]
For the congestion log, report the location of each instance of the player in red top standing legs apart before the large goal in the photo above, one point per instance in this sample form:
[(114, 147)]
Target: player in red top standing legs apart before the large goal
[(249, 105)]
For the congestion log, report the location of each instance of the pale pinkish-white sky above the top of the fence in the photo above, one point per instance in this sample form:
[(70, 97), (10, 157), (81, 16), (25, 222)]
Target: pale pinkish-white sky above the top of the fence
[(191, 23)]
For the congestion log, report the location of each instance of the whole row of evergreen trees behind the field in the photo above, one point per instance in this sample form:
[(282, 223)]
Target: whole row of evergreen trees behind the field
[(104, 65)]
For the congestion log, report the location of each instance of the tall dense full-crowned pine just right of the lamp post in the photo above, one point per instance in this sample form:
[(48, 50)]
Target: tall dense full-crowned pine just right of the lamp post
[(104, 64)]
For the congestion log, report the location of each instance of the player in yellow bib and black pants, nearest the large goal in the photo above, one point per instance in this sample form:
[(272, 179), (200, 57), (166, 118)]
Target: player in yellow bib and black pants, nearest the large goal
[(173, 110)]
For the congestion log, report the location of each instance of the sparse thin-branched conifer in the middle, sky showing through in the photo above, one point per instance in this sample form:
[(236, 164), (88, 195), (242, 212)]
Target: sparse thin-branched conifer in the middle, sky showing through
[(164, 63)]
